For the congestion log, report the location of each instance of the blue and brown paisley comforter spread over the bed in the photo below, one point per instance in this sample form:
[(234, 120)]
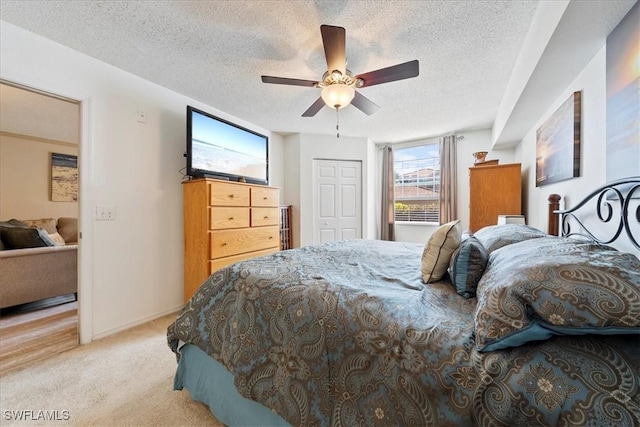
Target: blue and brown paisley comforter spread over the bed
[(346, 333)]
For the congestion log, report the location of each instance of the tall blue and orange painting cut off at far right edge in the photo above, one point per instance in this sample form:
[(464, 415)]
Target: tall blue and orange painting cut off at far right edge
[(623, 95)]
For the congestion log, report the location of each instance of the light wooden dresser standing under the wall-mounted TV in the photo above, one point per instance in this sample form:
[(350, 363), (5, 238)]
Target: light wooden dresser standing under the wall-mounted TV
[(226, 222)]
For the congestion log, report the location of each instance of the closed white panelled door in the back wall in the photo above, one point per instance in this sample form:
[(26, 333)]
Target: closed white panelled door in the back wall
[(337, 201)]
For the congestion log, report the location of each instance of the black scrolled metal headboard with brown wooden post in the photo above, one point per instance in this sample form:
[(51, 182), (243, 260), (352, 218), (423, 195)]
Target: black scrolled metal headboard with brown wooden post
[(613, 207)]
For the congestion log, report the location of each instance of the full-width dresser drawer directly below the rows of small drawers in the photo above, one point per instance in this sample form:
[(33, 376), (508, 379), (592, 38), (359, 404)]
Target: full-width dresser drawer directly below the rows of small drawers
[(231, 242)]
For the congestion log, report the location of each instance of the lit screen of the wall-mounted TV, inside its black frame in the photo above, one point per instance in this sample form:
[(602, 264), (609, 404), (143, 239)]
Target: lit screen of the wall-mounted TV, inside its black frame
[(215, 158)]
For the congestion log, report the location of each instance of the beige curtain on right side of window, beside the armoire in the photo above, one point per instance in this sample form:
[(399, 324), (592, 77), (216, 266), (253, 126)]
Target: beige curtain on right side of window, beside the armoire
[(448, 181)]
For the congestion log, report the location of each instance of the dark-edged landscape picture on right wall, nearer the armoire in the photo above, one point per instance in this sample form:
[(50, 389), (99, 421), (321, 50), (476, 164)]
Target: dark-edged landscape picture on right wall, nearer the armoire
[(558, 143)]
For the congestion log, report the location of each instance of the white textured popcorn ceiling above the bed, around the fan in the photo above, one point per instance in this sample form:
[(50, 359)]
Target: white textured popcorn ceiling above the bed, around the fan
[(216, 51)]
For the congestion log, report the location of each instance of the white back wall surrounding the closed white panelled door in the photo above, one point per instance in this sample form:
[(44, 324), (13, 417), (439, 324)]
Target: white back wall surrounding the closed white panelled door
[(301, 150)]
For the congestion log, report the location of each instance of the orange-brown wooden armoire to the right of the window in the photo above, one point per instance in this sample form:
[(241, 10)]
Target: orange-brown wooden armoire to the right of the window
[(494, 190)]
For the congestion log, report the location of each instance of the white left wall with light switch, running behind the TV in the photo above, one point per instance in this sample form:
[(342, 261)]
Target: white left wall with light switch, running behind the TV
[(131, 268)]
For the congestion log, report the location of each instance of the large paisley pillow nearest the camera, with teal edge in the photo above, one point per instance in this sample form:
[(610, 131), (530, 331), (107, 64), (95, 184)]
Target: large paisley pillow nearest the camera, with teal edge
[(549, 286)]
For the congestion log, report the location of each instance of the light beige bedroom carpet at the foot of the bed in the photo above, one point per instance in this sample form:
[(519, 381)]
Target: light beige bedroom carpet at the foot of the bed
[(122, 380)]
